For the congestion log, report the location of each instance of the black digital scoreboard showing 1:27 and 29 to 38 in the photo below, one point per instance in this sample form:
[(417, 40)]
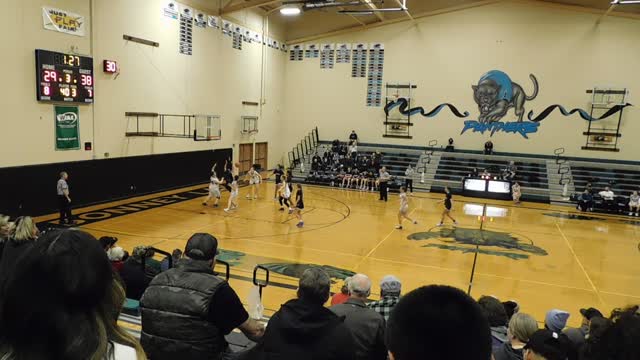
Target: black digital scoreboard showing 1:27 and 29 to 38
[(64, 77)]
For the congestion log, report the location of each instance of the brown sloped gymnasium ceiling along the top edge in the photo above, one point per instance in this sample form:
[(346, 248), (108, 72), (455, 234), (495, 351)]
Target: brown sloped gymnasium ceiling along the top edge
[(317, 22)]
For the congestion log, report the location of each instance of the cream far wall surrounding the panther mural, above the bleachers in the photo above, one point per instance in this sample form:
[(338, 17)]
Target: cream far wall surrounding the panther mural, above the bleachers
[(446, 54)]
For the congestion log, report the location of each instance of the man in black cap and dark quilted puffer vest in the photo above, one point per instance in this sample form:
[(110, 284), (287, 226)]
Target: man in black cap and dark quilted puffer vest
[(188, 310)]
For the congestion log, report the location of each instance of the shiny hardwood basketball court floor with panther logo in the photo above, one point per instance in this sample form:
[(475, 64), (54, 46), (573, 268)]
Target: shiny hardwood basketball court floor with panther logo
[(540, 255)]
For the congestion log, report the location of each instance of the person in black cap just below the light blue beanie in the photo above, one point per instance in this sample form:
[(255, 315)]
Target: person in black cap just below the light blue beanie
[(547, 345)]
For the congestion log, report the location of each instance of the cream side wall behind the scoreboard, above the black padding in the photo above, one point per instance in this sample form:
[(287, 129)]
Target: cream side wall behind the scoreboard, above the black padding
[(215, 80)]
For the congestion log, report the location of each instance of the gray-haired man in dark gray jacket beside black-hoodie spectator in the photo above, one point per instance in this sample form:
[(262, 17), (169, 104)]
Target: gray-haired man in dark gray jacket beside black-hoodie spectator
[(366, 325)]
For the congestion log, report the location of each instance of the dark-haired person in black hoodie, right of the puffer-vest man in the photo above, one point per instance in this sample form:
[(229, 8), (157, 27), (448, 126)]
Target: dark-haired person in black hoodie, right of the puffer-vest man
[(303, 328)]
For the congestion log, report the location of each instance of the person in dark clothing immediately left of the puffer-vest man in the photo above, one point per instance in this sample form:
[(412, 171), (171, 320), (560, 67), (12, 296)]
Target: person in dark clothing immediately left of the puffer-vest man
[(135, 276)]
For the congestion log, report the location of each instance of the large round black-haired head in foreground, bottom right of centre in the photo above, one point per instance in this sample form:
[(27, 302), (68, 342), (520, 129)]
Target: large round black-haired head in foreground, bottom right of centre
[(438, 322)]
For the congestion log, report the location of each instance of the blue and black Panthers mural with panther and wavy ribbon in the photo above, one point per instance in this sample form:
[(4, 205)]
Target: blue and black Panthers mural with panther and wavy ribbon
[(495, 95)]
